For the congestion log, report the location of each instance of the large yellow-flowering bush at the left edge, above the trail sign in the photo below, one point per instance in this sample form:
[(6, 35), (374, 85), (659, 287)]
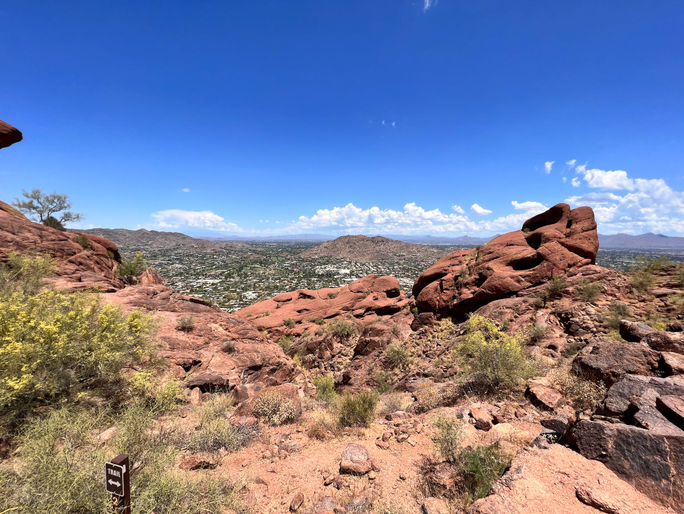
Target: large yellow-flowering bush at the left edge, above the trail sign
[(54, 345)]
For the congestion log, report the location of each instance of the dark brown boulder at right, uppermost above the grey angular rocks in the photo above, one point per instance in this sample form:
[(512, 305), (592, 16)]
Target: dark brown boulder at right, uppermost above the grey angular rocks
[(609, 361)]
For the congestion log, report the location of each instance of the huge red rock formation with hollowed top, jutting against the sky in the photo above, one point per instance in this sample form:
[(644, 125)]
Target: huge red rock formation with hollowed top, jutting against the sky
[(559, 241)]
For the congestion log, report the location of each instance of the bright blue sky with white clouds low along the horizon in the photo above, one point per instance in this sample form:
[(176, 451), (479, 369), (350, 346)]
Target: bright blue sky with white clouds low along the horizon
[(355, 116)]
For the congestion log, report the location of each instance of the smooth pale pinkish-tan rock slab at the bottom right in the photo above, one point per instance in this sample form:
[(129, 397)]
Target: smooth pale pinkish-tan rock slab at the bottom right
[(556, 479)]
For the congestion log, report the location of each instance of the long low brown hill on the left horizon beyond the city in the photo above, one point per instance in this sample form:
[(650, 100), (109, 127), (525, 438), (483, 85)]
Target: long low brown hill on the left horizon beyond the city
[(125, 239)]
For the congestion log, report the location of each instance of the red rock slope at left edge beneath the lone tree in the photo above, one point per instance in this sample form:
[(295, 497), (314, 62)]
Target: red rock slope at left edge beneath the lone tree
[(83, 261)]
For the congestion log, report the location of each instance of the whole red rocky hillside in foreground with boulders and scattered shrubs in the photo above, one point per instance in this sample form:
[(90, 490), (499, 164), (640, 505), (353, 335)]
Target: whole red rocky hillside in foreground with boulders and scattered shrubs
[(558, 381)]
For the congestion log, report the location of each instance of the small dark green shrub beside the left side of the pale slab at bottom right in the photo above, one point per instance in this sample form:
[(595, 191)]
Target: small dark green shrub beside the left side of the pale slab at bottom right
[(477, 469)]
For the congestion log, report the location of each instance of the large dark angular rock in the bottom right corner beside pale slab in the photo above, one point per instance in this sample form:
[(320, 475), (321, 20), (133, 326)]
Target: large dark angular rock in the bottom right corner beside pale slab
[(650, 461)]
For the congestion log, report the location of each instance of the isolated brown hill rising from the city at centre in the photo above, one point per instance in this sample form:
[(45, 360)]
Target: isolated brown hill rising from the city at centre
[(369, 249)]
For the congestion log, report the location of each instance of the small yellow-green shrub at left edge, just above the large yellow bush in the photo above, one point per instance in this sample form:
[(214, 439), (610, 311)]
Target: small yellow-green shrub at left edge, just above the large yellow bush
[(24, 274)]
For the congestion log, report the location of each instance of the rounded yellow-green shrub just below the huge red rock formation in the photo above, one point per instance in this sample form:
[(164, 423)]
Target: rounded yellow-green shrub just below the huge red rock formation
[(488, 351)]
